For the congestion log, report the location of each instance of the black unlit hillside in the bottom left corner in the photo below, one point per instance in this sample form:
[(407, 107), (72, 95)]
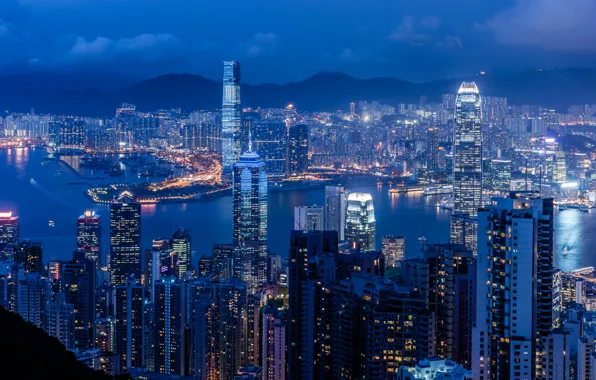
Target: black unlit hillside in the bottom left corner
[(27, 352)]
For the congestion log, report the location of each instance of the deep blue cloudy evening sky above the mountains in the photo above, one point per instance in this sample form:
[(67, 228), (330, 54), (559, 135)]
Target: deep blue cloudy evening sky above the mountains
[(281, 40)]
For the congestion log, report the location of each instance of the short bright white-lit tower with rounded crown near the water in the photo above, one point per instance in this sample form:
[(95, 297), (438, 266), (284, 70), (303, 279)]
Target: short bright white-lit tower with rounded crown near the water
[(360, 221)]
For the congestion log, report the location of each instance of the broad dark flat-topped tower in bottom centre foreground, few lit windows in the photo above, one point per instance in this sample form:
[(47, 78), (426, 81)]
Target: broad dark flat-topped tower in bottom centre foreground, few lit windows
[(307, 294)]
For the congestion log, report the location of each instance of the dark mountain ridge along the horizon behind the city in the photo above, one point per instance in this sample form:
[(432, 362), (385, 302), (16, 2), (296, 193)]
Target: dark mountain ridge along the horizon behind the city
[(98, 94)]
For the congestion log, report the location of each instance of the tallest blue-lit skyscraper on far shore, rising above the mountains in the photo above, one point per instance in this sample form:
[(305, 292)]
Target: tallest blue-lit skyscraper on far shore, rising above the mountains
[(231, 116)]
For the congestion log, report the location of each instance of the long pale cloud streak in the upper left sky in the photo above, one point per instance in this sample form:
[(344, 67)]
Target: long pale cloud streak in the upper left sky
[(144, 47)]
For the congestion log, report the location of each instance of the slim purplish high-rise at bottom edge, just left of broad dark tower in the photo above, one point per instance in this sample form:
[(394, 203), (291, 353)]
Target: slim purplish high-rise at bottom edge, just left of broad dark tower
[(273, 358)]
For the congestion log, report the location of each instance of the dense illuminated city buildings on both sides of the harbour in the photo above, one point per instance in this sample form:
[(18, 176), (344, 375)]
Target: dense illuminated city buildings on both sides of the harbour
[(490, 303)]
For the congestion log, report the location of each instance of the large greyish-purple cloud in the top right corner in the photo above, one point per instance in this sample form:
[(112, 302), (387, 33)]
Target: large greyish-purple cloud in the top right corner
[(566, 26)]
